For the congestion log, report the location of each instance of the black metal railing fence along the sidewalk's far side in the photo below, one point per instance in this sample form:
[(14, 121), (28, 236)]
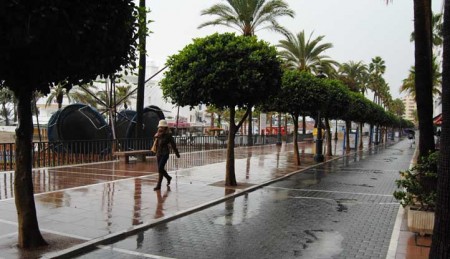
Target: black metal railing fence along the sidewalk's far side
[(49, 154)]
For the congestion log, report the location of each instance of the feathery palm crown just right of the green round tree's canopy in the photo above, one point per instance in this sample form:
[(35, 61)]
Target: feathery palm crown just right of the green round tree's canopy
[(306, 54)]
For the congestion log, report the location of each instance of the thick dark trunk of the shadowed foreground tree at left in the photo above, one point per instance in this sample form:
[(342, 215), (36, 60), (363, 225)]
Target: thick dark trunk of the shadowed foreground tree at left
[(29, 233)]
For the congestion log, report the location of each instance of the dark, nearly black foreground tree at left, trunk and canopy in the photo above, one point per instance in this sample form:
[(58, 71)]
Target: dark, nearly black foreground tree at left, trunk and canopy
[(45, 42)]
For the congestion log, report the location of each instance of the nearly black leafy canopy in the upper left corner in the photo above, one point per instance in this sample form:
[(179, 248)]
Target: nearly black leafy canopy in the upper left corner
[(46, 42)]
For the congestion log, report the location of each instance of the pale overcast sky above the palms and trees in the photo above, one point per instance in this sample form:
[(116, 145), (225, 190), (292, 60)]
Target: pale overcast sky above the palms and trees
[(358, 29)]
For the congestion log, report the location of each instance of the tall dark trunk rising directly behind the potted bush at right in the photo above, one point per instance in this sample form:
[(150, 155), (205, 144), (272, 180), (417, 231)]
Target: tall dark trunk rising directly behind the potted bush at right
[(424, 74)]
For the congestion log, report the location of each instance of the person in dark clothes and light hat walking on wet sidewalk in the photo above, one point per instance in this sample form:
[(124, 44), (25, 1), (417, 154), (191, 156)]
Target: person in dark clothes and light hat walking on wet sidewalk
[(164, 138)]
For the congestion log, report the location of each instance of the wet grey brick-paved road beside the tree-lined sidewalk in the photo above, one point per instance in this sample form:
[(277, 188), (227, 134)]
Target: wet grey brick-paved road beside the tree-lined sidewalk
[(340, 209)]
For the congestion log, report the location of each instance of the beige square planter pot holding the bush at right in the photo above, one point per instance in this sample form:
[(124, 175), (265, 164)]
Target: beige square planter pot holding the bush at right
[(420, 221)]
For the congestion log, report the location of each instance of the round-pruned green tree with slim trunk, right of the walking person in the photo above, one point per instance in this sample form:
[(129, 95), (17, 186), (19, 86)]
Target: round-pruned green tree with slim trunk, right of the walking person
[(226, 71)]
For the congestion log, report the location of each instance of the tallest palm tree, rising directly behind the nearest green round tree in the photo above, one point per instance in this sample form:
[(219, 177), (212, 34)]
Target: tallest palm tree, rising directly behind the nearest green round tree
[(248, 16)]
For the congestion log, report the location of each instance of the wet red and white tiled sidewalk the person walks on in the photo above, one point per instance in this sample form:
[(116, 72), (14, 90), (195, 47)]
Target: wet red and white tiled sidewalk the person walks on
[(87, 202)]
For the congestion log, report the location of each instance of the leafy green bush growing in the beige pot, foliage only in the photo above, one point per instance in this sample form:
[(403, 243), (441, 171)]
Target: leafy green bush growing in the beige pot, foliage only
[(419, 184)]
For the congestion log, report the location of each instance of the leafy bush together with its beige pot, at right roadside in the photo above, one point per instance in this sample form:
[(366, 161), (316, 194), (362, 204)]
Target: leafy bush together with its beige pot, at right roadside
[(418, 194)]
